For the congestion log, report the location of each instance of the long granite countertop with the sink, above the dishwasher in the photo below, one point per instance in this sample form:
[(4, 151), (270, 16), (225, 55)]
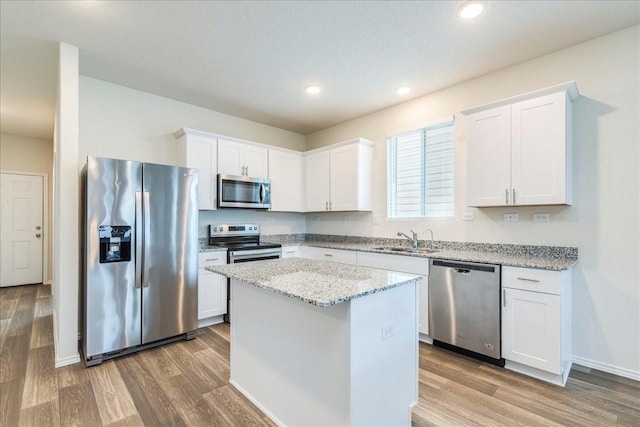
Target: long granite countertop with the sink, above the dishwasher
[(527, 256)]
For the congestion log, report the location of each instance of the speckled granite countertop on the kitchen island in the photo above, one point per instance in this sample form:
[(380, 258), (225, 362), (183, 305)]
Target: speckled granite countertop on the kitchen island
[(321, 283)]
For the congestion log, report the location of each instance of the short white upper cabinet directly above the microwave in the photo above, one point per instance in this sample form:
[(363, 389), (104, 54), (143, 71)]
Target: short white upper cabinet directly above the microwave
[(239, 158)]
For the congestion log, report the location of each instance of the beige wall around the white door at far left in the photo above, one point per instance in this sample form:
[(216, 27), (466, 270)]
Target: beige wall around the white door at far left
[(26, 154)]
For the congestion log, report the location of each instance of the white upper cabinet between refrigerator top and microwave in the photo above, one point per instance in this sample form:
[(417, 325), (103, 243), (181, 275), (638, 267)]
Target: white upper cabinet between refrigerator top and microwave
[(199, 150)]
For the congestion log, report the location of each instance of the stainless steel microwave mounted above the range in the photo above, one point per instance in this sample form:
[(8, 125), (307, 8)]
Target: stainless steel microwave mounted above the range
[(243, 192)]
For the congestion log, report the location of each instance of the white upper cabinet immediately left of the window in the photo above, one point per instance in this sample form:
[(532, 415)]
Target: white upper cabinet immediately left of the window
[(339, 177)]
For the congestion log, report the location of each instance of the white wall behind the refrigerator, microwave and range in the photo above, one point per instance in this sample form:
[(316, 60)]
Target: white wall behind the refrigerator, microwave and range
[(124, 123)]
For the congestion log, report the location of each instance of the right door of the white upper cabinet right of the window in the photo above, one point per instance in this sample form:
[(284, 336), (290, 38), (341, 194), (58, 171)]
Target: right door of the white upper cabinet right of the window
[(539, 151)]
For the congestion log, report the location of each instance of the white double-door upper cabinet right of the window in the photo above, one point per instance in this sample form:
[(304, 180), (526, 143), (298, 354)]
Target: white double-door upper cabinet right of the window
[(519, 149)]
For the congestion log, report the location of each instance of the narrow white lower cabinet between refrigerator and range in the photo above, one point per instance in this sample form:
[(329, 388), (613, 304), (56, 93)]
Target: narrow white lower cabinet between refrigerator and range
[(212, 289)]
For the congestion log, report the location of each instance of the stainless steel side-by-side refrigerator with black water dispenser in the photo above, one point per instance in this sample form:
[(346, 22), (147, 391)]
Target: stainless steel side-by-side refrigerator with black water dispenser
[(140, 249)]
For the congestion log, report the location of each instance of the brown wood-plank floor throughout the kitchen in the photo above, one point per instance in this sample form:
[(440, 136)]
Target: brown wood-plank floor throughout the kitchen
[(186, 384)]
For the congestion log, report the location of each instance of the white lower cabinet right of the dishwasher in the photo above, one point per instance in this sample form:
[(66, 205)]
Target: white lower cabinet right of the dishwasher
[(536, 322)]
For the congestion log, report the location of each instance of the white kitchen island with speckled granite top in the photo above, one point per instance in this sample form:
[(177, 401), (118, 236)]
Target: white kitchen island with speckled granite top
[(322, 343)]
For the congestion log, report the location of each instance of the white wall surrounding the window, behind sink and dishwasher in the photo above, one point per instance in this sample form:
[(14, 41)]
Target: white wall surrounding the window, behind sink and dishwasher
[(604, 219)]
